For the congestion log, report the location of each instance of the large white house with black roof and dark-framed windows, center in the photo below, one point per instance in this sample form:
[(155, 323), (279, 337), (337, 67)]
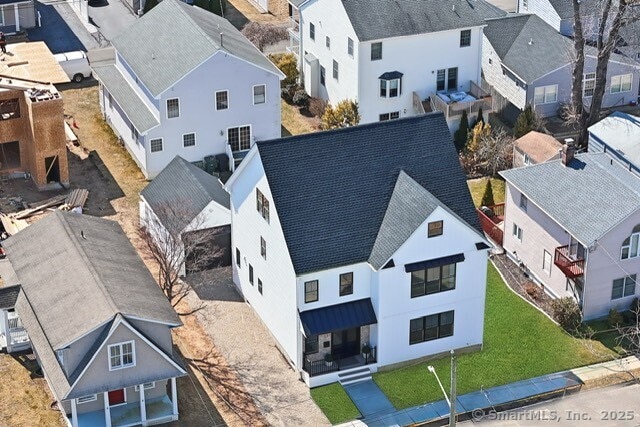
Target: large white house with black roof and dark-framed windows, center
[(364, 236)]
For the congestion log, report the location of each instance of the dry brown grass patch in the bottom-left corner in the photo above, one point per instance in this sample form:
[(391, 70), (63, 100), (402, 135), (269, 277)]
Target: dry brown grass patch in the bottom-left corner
[(25, 398)]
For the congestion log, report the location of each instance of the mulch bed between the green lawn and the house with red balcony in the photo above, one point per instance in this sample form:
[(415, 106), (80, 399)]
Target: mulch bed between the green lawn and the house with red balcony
[(520, 281)]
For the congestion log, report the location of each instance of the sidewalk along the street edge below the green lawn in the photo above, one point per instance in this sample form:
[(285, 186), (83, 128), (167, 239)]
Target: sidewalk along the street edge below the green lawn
[(507, 396)]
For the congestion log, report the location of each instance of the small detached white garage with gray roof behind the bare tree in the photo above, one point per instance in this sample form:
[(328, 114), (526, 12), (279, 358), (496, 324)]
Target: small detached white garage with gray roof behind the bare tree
[(186, 204)]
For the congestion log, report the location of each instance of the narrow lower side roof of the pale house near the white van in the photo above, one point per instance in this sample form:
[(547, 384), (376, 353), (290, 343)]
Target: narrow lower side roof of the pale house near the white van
[(127, 98)]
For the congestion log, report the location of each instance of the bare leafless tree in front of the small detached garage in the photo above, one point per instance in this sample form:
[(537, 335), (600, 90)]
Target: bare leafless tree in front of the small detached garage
[(173, 238)]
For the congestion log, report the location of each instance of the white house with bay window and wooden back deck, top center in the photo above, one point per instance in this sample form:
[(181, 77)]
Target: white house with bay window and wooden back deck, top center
[(395, 58)]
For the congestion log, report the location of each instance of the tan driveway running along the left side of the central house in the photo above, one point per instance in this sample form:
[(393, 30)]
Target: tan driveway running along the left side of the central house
[(248, 347)]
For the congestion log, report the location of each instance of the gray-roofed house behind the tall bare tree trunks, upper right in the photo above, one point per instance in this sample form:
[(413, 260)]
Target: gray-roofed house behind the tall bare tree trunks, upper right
[(529, 63)]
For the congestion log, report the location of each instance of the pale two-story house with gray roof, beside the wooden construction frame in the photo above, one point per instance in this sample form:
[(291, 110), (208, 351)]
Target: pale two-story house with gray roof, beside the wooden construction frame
[(186, 82)]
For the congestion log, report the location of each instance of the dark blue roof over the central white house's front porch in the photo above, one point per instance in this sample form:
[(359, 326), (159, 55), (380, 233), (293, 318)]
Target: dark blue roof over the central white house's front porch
[(338, 317)]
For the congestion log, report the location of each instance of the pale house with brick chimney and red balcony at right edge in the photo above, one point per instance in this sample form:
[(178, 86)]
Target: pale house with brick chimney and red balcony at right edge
[(574, 223)]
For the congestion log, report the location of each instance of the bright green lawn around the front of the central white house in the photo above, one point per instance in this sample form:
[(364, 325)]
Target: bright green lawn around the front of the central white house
[(519, 343)]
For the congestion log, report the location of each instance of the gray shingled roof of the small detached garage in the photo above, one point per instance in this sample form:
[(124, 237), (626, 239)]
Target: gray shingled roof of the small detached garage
[(183, 184)]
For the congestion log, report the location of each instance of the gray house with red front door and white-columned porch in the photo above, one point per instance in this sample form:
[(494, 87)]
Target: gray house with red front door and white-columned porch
[(99, 325)]
